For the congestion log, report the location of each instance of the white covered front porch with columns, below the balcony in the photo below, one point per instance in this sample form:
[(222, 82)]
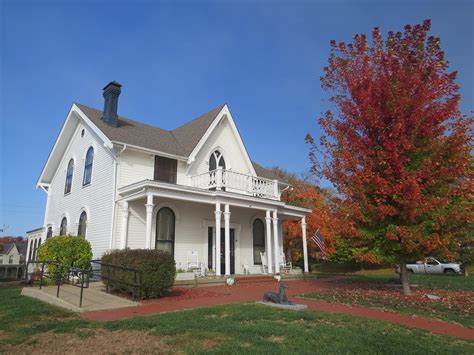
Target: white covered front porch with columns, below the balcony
[(224, 232)]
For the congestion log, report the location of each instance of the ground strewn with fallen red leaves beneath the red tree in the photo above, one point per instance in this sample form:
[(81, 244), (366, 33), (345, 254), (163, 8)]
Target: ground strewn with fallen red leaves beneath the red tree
[(453, 305)]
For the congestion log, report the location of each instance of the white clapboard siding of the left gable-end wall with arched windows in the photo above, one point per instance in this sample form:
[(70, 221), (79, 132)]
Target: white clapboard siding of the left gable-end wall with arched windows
[(96, 199)]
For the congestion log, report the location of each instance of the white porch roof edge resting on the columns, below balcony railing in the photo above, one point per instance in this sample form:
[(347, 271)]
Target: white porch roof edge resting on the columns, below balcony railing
[(143, 188)]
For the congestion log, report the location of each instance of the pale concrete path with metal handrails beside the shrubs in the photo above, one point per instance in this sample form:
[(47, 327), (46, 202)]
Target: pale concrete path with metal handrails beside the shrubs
[(94, 297)]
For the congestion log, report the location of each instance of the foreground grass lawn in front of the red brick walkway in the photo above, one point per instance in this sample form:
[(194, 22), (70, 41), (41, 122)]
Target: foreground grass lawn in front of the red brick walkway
[(26, 324)]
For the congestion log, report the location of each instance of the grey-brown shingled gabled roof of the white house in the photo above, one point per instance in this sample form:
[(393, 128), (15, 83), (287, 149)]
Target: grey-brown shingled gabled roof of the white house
[(178, 142)]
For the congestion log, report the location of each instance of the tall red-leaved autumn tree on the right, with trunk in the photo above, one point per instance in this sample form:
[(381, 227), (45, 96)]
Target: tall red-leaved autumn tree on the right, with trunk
[(396, 146)]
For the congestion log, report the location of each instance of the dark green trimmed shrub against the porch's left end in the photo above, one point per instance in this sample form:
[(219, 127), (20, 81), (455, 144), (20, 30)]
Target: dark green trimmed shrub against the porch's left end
[(156, 271)]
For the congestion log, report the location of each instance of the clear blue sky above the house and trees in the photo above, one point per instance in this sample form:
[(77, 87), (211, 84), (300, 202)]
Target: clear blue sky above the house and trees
[(178, 59)]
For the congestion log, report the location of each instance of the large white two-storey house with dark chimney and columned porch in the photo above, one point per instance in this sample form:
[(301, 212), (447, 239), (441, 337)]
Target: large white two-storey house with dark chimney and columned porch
[(124, 184)]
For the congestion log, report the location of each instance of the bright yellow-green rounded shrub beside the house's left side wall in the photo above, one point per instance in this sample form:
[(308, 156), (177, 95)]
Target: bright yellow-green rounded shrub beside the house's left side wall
[(67, 250)]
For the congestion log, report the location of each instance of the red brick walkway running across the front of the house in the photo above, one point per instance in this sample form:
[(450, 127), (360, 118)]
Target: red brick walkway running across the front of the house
[(189, 298)]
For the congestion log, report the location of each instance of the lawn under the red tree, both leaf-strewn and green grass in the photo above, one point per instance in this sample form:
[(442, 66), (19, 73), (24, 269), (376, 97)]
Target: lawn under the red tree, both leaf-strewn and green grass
[(378, 288)]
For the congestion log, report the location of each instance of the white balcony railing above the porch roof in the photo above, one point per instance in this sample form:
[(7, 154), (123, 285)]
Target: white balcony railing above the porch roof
[(231, 181)]
